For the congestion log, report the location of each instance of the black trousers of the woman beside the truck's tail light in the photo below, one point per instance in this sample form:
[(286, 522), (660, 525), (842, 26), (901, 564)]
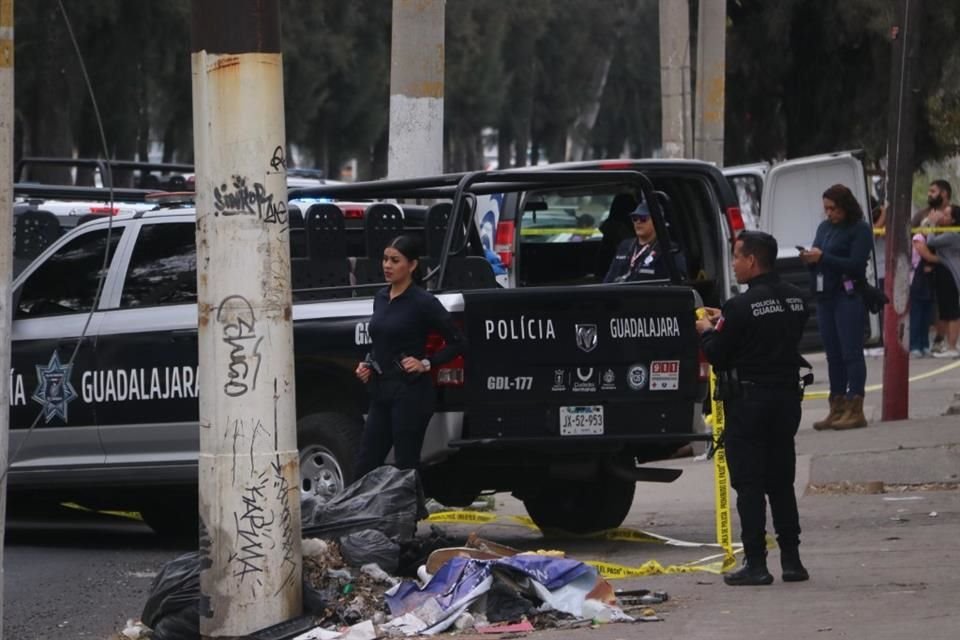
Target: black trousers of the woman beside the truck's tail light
[(399, 412)]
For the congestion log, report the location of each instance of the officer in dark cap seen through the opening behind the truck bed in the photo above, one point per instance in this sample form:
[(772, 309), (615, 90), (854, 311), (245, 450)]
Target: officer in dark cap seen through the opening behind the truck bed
[(643, 257)]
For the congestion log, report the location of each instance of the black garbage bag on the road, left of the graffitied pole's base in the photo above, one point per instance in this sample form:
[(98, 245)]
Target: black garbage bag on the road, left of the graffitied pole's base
[(172, 609)]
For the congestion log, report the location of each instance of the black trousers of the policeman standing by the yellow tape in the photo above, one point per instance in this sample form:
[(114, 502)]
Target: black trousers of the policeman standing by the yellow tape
[(759, 440)]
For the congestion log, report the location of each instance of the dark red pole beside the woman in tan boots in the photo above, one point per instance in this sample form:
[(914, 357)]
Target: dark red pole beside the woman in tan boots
[(905, 35)]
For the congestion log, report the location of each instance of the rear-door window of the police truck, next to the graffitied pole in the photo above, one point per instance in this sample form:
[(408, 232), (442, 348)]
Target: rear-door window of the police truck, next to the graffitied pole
[(163, 267)]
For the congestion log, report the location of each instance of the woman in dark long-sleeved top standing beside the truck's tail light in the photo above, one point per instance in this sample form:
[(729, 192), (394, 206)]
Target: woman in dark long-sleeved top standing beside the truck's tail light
[(401, 389)]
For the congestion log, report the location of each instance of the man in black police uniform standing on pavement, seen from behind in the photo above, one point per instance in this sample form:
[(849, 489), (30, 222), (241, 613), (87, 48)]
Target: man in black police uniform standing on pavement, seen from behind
[(752, 344)]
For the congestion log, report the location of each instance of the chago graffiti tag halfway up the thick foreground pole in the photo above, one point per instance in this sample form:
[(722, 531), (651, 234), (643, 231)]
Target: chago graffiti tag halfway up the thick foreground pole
[(240, 333)]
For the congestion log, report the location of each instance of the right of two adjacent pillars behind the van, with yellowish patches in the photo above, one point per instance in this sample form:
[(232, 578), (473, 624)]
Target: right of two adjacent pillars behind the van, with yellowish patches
[(711, 80)]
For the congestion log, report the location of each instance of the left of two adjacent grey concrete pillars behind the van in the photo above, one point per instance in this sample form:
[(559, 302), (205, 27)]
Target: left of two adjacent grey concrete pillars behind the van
[(675, 78)]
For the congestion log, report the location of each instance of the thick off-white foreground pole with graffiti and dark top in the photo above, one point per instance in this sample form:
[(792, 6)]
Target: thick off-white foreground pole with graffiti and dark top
[(249, 477)]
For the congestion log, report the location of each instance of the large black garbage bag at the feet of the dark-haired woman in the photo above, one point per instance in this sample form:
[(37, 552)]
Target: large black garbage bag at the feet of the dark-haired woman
[(387, 499)]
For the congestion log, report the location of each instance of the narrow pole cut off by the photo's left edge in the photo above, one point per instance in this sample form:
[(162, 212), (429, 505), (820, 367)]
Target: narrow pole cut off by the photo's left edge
[(6, 252)]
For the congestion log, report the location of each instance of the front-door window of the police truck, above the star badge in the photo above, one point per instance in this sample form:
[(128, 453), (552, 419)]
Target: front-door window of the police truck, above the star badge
[(67, 281)]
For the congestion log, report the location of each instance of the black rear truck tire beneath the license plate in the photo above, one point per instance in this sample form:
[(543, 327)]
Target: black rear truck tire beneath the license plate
[(582, 507)]
